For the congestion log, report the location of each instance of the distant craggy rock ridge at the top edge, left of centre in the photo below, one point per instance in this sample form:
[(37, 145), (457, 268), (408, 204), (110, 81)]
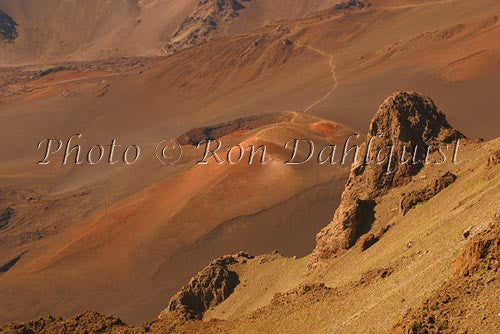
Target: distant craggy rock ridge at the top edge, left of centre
[(209, 18)]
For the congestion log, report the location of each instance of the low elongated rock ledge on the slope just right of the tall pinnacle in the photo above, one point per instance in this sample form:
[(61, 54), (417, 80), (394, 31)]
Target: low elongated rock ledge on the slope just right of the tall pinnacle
[(410, 200)]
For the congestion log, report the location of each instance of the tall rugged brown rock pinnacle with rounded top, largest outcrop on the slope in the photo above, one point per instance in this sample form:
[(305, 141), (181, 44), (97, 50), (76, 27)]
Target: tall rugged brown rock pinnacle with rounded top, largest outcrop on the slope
[(403, 127)]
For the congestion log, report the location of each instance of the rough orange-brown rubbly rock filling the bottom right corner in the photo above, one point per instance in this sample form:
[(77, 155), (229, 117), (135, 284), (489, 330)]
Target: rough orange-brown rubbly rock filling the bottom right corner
[(461, 304)]
